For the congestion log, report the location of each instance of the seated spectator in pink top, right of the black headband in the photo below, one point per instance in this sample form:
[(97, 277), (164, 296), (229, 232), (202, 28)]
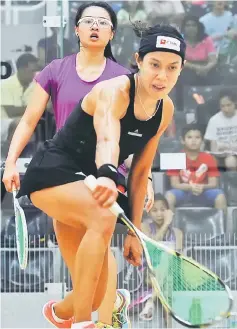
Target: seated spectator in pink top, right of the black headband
[(201, 58)]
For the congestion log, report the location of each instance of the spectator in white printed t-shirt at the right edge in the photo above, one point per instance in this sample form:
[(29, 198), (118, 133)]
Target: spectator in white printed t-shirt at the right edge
[(222, 130)]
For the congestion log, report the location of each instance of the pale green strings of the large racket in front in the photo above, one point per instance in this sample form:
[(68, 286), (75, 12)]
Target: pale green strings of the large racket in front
[(192, 293)]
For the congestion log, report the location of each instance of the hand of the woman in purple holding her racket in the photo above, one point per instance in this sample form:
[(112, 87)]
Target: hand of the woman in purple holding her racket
[(11, 177)]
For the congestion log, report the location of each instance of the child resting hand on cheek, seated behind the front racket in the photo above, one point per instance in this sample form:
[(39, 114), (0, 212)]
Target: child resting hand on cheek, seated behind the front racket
[(159, 228)]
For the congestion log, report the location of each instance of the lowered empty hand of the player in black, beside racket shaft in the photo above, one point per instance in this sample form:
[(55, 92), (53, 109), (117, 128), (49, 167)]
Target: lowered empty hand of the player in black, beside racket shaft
[(132, 250)]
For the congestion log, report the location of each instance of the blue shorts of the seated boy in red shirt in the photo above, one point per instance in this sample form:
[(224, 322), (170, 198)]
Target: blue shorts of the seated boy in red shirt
[(207, 198)]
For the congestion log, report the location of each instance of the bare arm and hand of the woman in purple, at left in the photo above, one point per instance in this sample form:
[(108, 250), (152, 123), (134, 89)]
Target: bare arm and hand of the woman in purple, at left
[(22, 135)]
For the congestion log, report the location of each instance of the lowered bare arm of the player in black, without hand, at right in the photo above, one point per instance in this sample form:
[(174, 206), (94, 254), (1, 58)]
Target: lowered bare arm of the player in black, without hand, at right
[(137, 182)]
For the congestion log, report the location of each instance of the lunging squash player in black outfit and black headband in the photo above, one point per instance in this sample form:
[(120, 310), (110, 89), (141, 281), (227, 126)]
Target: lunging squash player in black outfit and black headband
[(122, 116)]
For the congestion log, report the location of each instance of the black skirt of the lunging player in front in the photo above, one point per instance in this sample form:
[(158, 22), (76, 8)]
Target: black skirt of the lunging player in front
[(52, 166)]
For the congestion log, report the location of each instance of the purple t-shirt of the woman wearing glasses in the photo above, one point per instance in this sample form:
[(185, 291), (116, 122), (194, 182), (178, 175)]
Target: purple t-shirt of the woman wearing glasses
[(61, 81)]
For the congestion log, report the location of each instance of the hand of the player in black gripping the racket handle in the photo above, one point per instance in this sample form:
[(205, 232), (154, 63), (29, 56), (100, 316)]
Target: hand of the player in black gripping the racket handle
[(105, 192)]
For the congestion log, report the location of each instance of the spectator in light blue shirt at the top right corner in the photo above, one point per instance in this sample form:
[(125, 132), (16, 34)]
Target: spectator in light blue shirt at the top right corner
[(217, 23)]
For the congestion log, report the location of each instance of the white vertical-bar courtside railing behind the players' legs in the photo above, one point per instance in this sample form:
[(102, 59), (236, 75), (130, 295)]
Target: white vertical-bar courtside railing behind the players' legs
[(46, 273)]
